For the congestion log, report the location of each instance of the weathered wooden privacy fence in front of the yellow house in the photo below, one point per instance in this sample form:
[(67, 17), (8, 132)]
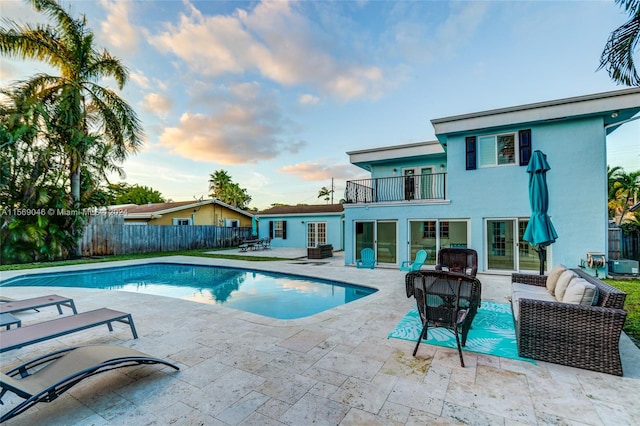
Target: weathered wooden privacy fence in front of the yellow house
[(108, 235)]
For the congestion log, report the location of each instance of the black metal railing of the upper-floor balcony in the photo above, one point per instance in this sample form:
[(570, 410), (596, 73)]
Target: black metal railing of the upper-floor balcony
[(397, 188)]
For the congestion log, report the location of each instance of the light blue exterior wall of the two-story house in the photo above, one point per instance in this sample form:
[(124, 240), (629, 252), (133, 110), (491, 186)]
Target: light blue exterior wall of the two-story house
[(576, 152)]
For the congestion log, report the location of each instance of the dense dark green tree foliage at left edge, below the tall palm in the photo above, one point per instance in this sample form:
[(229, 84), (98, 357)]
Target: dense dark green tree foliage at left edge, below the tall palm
[(33, 225)]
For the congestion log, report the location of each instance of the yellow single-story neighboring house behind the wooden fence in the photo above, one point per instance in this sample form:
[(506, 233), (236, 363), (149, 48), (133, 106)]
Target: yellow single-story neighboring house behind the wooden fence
[(203, 212)]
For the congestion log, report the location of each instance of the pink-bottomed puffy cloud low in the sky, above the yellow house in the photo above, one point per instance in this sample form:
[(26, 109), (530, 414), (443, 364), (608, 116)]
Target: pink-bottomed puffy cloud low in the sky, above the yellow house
[(244, 126)]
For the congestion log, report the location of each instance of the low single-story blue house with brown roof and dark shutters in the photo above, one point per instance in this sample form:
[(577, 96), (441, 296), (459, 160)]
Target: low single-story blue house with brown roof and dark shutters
[(303, 226)]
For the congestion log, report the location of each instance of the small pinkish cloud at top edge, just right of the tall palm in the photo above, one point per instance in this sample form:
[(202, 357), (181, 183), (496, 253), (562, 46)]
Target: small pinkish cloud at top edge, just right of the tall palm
[(116, 29)]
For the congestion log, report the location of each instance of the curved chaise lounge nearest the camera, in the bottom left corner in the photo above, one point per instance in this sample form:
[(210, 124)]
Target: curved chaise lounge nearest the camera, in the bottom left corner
[(63, 370)]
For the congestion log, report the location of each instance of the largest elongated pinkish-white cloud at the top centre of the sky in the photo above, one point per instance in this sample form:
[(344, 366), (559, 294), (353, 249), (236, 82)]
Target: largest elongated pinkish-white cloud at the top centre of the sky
[(274, 40)]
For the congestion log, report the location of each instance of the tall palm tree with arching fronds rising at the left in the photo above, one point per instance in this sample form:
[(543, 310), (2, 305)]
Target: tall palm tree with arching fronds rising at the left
[(82, 111)]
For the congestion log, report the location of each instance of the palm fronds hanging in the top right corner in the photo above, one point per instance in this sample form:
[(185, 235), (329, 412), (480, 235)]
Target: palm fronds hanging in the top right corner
[(618, 54)]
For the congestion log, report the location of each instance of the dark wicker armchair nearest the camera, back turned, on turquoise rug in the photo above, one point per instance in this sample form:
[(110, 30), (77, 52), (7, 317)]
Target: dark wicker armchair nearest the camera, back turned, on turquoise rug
[(445, 299)]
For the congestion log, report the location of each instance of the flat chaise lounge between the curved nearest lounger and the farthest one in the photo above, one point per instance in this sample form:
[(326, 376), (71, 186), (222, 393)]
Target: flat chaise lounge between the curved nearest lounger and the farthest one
[(39, 332)]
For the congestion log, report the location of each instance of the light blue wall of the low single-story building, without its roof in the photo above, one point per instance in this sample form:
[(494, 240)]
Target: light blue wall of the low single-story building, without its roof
[(297, 229)]
